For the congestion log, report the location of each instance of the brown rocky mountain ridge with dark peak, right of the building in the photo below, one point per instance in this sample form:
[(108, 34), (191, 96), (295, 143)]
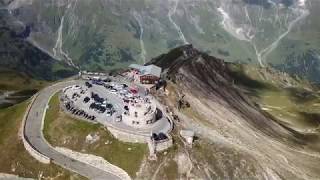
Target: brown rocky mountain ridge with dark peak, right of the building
[(262, 123)]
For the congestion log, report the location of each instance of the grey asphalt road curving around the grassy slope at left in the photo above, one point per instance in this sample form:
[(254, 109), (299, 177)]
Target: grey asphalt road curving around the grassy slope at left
[(33, 133)]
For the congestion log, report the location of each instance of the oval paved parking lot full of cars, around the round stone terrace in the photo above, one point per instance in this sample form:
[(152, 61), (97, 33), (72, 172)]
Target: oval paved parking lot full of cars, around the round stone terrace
[(106, 102)]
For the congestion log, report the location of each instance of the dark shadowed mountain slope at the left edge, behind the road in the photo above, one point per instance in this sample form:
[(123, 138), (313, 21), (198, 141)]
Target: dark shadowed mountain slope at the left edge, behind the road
[(17, 54)]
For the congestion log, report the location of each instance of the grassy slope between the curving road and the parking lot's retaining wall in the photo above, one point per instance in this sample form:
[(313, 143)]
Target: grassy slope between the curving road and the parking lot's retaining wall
[(62, 130)]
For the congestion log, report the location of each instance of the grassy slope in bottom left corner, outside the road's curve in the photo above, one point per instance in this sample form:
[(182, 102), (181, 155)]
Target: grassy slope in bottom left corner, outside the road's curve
[(14, 158)]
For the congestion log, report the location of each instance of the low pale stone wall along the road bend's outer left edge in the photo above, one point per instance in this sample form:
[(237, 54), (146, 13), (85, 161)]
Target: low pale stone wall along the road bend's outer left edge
[(34, 153)]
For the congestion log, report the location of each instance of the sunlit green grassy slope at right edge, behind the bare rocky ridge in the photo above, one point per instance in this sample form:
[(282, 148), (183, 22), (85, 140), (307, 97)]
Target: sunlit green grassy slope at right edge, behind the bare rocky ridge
[(296, 106)]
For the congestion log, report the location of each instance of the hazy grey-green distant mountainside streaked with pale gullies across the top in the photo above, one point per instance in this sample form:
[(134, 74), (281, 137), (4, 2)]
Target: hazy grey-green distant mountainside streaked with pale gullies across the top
[(104, 34)]
